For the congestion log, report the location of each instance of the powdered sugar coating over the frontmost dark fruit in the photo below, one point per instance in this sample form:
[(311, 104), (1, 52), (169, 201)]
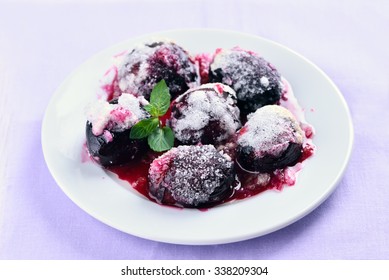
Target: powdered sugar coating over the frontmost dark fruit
[(191, 175)]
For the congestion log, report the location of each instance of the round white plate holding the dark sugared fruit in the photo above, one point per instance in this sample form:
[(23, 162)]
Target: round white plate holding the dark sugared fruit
[(102, 196)]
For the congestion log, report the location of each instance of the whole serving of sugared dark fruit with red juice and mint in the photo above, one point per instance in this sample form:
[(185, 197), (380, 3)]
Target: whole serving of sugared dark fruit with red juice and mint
[(199, 130)]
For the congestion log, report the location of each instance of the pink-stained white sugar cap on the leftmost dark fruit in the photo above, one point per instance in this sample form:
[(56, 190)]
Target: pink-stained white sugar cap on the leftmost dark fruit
[(115, 117)]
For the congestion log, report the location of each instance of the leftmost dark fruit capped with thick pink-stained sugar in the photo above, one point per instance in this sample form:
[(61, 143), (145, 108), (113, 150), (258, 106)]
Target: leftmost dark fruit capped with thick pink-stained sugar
[(108, 130)]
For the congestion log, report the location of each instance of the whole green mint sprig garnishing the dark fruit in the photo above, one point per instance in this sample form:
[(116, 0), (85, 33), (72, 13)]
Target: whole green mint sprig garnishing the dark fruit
[(159, 138)]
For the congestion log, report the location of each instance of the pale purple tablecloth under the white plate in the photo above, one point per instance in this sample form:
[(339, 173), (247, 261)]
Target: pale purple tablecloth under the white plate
[(41, 43)]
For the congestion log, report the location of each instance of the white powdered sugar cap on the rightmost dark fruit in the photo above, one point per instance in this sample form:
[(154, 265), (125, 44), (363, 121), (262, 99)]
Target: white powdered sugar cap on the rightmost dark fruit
[(270, 130)]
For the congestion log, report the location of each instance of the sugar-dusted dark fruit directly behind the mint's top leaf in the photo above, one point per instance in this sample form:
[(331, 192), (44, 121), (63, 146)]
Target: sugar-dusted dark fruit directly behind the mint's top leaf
[(147, 64)]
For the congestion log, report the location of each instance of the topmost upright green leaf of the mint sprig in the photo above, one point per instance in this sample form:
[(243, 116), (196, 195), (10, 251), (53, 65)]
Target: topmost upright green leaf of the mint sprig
[(159, 100)]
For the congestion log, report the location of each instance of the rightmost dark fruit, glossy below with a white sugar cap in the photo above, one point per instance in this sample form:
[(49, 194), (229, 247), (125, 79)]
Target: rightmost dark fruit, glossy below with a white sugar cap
[(271, 139)]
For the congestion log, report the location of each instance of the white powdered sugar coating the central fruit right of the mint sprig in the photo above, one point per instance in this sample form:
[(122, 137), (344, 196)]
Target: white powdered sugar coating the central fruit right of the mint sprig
[(198, 108)]
